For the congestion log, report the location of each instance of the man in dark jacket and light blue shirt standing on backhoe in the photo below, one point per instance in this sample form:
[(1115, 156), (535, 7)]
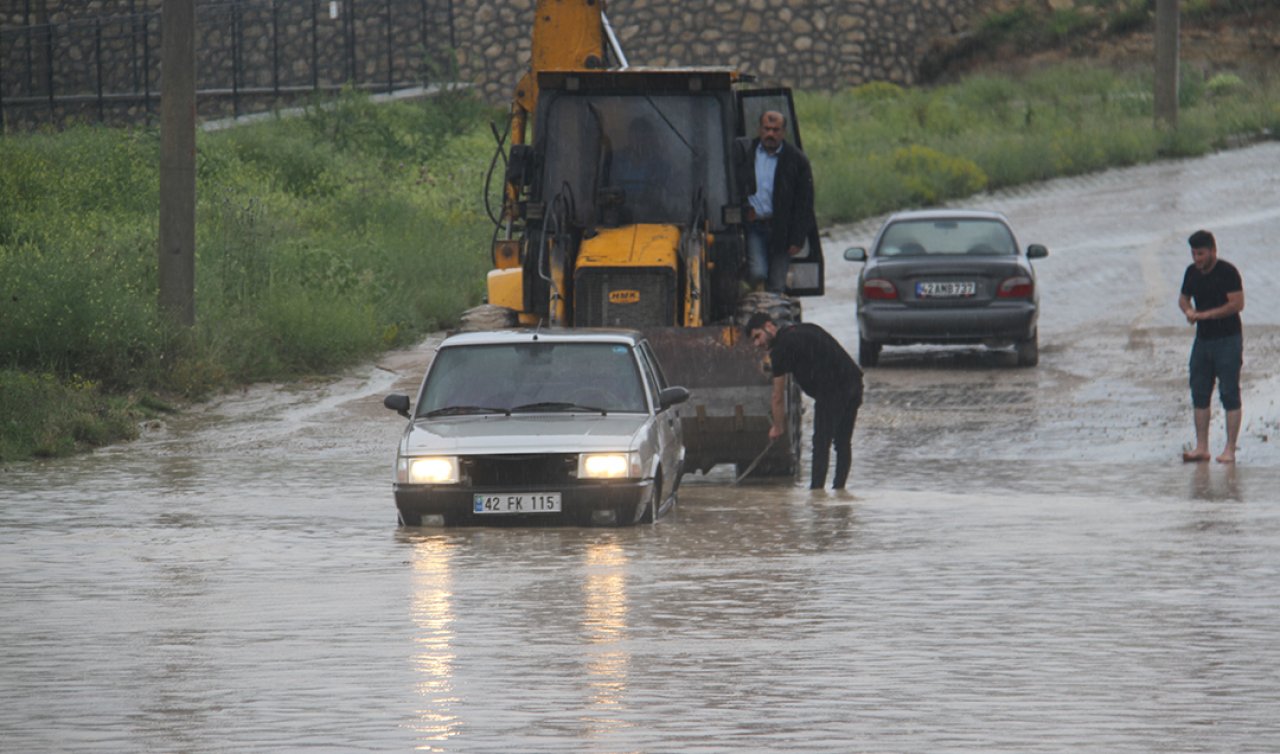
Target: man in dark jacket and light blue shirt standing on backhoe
[(780, 213)]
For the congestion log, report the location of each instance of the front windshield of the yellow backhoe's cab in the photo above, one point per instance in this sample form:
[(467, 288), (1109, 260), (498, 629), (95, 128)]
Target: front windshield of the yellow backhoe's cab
[(636, 159)]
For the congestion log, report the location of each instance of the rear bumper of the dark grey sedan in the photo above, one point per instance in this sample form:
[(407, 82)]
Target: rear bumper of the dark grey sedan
[(900, 326)]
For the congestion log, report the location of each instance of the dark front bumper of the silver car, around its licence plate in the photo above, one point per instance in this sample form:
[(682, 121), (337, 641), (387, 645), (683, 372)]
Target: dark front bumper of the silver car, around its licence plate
[(582, 505)]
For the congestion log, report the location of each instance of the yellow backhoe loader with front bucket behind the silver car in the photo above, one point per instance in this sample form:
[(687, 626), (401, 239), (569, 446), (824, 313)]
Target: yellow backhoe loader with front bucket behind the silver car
[(624, 205)]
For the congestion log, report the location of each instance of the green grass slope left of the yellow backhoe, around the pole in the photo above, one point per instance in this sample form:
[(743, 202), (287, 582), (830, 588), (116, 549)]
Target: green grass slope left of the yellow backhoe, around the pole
[(321, 240)]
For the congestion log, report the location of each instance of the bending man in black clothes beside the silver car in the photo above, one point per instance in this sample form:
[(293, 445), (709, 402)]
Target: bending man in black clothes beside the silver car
[(828, 374)]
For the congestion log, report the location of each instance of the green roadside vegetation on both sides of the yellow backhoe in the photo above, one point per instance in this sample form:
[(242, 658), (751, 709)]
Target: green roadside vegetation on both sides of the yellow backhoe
[(327, 239)]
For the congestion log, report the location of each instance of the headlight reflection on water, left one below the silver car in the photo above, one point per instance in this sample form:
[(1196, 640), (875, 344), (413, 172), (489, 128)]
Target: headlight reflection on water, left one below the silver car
[(435, 655)]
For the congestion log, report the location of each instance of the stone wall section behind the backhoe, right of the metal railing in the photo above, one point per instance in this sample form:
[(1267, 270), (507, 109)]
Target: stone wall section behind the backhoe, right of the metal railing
[(804, 44)]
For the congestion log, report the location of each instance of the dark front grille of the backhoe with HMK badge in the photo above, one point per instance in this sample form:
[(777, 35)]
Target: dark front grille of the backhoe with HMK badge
[(625, 298)]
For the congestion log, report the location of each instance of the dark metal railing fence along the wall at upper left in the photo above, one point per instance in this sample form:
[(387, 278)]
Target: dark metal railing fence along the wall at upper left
[(252, 56)]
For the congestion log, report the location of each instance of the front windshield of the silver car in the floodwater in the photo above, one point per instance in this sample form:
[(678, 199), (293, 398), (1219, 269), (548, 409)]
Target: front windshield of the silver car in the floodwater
[(534, 377)]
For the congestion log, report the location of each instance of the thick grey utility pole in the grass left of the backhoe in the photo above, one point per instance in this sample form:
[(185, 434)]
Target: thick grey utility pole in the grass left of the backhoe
[(179, 162)]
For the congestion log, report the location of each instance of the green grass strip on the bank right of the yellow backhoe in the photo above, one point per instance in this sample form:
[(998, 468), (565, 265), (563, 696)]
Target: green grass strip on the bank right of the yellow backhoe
[(881, 148)]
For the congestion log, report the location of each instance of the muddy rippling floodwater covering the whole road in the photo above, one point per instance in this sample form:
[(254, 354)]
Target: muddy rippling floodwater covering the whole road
[(1023, 564)]
